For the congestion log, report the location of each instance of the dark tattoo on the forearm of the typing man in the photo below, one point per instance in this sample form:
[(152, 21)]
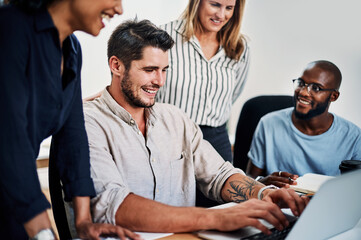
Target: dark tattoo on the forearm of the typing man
[(242, 190)]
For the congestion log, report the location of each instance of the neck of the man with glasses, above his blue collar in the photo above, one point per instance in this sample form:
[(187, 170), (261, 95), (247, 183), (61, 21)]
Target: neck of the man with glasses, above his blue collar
[(313, 126)]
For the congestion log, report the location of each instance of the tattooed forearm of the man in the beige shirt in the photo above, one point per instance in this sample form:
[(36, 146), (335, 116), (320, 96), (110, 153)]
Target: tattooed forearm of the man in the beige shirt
[(239, 188)]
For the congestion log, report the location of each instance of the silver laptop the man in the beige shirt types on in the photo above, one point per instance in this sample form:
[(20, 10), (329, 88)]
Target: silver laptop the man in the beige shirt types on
[(334, 211)]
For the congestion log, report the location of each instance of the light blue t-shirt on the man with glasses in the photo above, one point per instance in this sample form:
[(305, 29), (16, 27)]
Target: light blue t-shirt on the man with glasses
[(278, 145)]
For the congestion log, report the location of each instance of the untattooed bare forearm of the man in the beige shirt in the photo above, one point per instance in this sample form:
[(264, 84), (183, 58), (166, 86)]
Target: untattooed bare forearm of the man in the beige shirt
[(140, 214)]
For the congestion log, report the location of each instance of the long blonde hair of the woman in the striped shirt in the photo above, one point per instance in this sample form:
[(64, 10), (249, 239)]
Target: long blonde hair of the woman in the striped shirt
[(229, 36)]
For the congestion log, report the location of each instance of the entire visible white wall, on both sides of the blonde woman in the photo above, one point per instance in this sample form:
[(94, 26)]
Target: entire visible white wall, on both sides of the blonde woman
[(284, 36)]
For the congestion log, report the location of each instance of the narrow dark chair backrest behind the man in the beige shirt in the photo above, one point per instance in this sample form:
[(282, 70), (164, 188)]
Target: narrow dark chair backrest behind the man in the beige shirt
[(57, 202)]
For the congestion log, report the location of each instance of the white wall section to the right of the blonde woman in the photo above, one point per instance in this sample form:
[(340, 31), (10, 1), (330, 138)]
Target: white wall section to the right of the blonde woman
[(287, 34)]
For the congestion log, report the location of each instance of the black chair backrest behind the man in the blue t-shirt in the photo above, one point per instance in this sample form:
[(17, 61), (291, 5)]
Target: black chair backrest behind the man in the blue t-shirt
[(251, 113)]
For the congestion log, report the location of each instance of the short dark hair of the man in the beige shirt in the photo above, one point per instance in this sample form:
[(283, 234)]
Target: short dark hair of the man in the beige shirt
[(130, 38)]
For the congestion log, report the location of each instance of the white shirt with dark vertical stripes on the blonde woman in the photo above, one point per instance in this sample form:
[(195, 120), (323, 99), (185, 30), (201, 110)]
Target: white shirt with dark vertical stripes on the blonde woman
[(204, 89)]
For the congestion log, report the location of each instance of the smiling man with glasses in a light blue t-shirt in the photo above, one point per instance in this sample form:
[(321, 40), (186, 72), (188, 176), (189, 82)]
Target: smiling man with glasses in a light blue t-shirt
[(306, 138)]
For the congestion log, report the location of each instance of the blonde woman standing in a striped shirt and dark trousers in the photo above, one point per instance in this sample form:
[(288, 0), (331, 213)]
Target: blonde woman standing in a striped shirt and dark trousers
[(208, 66)]
